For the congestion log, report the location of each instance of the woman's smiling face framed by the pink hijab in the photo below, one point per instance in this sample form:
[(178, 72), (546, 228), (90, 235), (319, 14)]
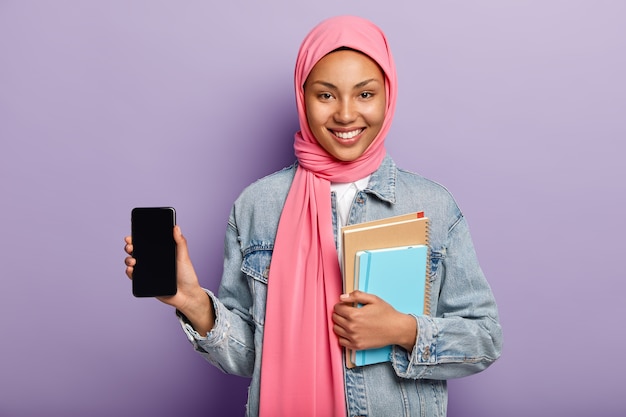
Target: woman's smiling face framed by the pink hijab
[(344, 96)]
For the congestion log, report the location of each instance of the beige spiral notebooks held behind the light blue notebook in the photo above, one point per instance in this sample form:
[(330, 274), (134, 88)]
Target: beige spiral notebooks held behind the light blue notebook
[(404, 230)]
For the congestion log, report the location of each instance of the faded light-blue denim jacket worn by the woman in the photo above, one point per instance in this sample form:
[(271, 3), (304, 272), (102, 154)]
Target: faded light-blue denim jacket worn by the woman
[(462, 337)]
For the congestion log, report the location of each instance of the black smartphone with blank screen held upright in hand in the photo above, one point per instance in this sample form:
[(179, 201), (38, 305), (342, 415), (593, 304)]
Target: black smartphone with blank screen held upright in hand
[(154, 249)]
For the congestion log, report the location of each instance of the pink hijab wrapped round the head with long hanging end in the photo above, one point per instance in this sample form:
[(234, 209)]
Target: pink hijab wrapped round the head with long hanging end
[(302, 362)]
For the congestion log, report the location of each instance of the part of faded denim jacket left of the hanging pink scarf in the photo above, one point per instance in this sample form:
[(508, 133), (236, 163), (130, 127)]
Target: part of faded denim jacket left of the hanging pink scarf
[(234, 345)]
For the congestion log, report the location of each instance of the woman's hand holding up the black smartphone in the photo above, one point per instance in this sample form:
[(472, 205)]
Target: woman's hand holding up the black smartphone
[(190, 299)]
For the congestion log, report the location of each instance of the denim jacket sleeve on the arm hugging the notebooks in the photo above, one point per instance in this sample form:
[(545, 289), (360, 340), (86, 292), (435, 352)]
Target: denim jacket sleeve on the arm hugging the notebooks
[(463, 336)]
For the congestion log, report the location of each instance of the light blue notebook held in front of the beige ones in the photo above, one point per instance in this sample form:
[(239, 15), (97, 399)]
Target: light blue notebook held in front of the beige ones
[(398, 276)]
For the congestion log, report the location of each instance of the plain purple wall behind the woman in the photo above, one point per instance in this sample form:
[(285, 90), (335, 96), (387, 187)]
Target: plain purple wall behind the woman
[(519, 108)]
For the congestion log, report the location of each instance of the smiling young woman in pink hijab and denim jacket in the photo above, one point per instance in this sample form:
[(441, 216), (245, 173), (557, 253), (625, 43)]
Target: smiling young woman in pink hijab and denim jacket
[(280, 316)]
